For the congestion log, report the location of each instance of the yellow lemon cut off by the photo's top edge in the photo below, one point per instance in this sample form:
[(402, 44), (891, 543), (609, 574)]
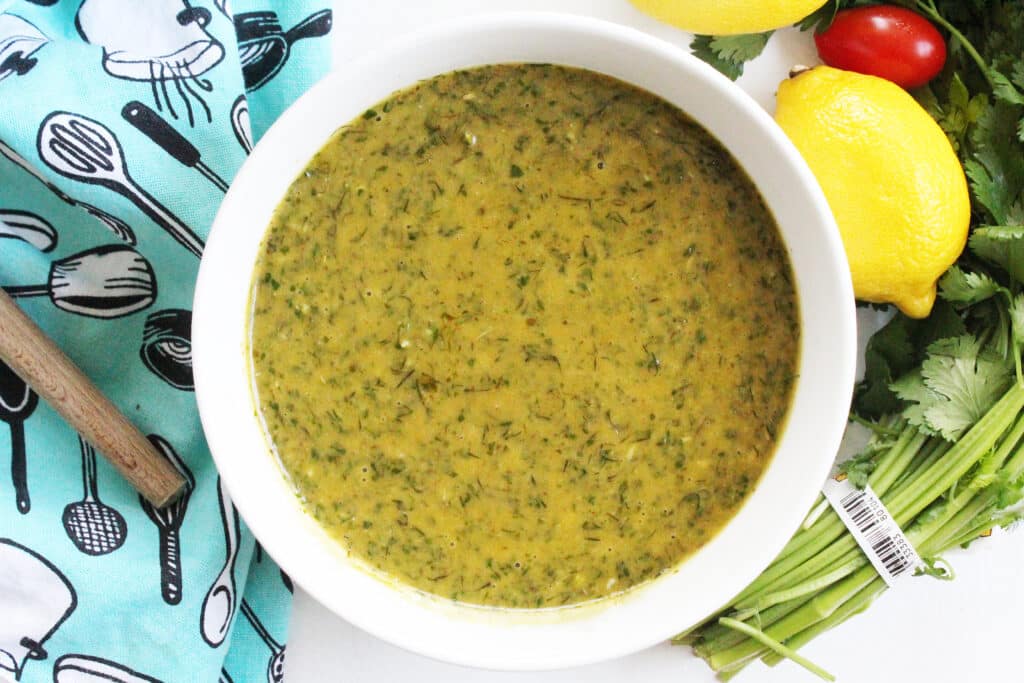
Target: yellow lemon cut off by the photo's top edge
[(722, 18)]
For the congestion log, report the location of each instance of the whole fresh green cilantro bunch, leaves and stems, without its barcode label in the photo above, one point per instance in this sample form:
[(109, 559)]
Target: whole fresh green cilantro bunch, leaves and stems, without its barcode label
[(945, 396)]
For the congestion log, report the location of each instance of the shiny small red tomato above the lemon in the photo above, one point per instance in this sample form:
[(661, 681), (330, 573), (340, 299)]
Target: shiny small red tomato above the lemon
[(891, 42)]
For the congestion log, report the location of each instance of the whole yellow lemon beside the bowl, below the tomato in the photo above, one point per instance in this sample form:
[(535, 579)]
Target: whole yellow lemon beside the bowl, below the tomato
[(891, 178)]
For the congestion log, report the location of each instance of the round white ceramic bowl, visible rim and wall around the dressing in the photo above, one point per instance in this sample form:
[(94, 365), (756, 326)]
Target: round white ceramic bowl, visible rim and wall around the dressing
[(527, 639)]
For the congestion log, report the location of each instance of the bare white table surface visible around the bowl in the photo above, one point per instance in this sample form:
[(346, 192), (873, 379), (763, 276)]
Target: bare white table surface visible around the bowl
[(966, 630)]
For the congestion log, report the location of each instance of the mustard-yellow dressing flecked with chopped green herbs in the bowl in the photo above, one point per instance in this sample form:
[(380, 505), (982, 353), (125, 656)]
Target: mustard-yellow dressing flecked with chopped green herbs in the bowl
[(524, 336)]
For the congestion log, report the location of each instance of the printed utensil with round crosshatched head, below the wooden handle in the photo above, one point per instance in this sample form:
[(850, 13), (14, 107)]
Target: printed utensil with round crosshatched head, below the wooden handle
[(96, 529)]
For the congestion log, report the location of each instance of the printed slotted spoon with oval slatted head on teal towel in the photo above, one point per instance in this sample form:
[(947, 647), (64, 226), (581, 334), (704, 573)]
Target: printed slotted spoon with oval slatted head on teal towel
[(81, 149)]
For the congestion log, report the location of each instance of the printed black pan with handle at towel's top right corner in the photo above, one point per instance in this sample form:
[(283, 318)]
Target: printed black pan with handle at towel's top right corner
[(265, 47)]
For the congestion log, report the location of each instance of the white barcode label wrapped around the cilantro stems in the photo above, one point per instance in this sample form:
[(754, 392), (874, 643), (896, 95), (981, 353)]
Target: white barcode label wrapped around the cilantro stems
[(874, 529)]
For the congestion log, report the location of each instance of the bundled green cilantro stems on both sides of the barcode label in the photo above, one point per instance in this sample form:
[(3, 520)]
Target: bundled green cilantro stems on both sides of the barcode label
[(944, 494)]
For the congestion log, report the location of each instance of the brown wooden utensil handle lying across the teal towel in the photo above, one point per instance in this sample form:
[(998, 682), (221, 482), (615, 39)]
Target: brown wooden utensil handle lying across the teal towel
[(45, 367)]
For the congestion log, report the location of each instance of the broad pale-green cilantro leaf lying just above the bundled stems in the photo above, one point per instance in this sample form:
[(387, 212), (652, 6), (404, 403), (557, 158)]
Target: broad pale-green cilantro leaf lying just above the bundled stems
[(956, 386)]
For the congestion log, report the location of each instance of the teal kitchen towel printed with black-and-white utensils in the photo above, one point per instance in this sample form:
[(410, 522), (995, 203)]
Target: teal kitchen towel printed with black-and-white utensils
[(122, 122)]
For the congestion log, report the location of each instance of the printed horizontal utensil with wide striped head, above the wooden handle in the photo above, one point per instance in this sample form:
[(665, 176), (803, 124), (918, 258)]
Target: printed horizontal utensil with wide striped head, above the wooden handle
[(106, 282)]
